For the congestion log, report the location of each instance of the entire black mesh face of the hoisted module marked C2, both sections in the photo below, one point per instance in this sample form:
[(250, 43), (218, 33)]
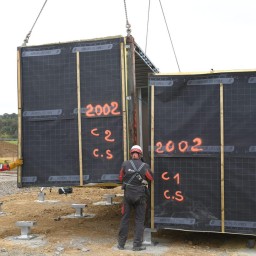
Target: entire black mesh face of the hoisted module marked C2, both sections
[(49, 112)]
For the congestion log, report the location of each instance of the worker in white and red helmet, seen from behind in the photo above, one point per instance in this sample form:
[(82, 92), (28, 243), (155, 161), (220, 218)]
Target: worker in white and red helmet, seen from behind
[(134, 175)]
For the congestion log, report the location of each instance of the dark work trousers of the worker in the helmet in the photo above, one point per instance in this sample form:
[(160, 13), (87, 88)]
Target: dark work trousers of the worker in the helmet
[(138, 203)]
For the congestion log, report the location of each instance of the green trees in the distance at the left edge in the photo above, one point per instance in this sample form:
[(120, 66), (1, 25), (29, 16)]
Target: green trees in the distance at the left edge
[(9, 126)]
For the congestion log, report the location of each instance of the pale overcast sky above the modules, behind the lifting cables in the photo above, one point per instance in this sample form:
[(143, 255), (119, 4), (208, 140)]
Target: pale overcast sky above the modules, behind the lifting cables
[(206, 34)]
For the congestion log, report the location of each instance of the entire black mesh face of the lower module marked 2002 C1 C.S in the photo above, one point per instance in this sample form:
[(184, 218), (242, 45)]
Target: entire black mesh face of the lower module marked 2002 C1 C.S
[(187, 151)]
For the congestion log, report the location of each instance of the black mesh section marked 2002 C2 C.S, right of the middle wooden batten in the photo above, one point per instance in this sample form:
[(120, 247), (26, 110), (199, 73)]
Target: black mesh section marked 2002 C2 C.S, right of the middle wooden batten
[(102, 128)]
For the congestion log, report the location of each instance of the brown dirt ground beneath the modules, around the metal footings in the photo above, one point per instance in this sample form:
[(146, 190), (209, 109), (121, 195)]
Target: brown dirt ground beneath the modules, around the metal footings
[(58, 233)]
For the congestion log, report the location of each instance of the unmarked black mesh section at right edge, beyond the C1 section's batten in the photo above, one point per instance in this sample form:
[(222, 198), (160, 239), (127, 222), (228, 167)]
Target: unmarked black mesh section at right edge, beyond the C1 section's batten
[(240, 162)]
